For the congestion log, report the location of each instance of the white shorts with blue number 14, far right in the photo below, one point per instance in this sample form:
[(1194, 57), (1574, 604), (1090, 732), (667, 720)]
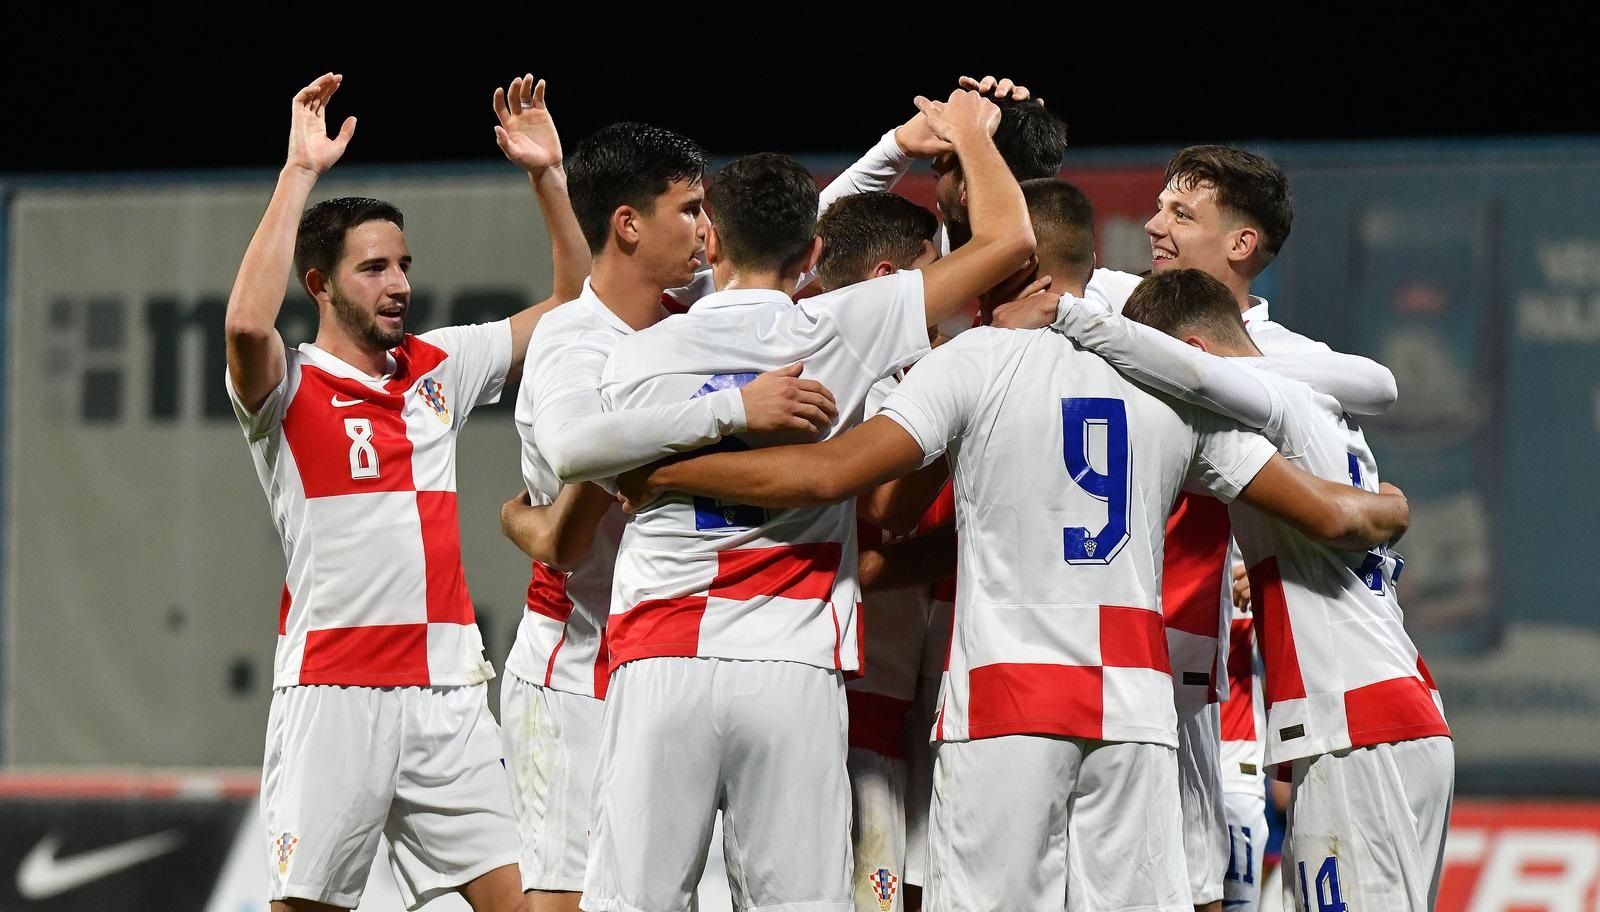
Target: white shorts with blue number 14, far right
[(1367, 826)]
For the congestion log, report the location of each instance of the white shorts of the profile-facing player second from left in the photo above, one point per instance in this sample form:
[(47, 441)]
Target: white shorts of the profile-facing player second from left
[(553, 748)]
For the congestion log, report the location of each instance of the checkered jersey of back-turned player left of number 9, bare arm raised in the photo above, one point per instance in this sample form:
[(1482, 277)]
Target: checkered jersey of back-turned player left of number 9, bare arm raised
[(703, 578)]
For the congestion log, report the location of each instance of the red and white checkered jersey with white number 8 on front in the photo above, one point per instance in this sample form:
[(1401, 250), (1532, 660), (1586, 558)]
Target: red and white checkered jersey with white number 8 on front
[(361, 474)]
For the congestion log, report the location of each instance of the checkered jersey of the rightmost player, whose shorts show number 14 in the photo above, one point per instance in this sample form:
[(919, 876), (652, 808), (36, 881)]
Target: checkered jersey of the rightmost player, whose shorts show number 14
[(1342, 670)]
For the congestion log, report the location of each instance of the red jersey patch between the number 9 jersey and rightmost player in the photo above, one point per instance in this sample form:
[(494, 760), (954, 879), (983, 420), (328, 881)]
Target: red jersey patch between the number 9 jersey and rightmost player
[(1193, 566)]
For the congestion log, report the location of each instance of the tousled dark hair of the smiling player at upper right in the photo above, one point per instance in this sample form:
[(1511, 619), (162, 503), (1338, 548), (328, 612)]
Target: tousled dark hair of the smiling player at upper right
[(1247, 185)]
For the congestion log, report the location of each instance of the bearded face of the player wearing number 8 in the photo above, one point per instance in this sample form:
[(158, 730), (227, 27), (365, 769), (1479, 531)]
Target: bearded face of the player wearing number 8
[(369, 290)]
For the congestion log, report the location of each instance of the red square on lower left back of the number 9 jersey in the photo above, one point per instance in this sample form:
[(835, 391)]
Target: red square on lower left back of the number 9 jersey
[(1015, 698)]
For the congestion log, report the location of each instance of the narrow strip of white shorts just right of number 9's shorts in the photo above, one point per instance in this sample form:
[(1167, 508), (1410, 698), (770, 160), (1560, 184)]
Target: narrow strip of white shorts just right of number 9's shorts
[(1201, 796)]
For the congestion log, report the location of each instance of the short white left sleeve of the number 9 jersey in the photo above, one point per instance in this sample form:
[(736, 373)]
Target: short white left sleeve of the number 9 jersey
[(937, 402)]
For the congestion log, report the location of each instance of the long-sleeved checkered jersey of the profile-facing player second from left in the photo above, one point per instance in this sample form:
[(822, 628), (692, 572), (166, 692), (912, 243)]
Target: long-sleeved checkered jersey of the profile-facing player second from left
[(561, 639)]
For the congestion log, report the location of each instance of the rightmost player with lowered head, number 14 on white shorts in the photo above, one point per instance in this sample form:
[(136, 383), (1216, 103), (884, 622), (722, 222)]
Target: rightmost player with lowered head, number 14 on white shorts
[(1353, 714)]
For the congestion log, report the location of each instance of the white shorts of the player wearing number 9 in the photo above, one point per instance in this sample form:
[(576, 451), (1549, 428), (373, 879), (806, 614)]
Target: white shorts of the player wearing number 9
[(1041, 823)]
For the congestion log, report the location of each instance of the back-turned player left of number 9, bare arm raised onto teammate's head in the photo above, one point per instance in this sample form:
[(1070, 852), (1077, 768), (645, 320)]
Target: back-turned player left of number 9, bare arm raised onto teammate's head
[(730, 628)]
